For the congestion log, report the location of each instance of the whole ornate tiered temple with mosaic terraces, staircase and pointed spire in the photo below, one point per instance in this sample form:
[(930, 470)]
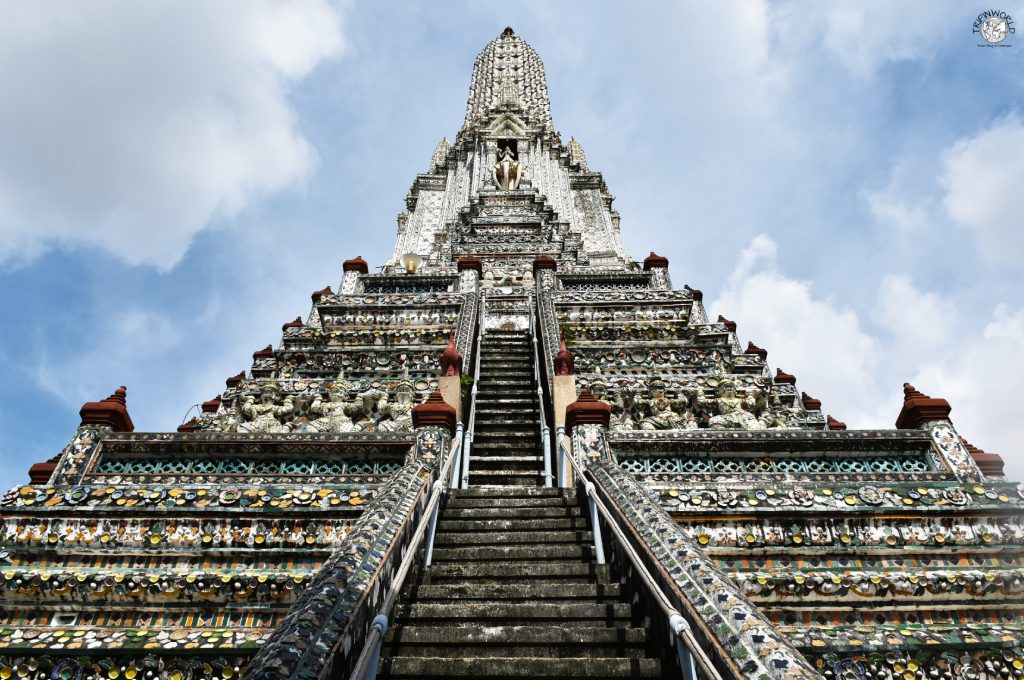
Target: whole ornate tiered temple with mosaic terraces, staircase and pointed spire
[(516, 451)]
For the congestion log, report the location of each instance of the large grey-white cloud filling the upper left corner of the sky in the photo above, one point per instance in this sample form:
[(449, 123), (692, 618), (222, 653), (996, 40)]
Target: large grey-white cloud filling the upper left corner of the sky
[(138, 124)]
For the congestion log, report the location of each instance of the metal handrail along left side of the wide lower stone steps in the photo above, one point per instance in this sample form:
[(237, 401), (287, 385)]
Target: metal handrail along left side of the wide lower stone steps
[(366, 665)]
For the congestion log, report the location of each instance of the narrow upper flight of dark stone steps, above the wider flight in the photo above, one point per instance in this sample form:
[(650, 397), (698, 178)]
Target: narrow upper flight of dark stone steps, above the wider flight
[(507, 449)]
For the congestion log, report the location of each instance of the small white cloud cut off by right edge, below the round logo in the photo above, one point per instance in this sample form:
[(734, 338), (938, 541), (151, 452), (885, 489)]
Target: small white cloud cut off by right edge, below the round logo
[(984, 176)]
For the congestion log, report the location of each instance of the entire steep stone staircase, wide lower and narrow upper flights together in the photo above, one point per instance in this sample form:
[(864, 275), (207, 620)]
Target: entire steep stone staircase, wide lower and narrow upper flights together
[(515, 589)]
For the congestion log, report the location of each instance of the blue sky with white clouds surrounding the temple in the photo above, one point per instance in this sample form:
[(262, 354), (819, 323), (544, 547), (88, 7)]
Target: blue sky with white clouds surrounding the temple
[(843, 180)]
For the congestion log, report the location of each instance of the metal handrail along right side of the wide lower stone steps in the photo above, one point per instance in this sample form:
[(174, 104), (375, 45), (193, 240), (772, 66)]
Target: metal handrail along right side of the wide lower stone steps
[(688, 647)]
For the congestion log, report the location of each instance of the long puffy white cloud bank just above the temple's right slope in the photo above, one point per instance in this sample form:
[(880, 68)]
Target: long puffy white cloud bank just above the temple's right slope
[(858, 373)]
